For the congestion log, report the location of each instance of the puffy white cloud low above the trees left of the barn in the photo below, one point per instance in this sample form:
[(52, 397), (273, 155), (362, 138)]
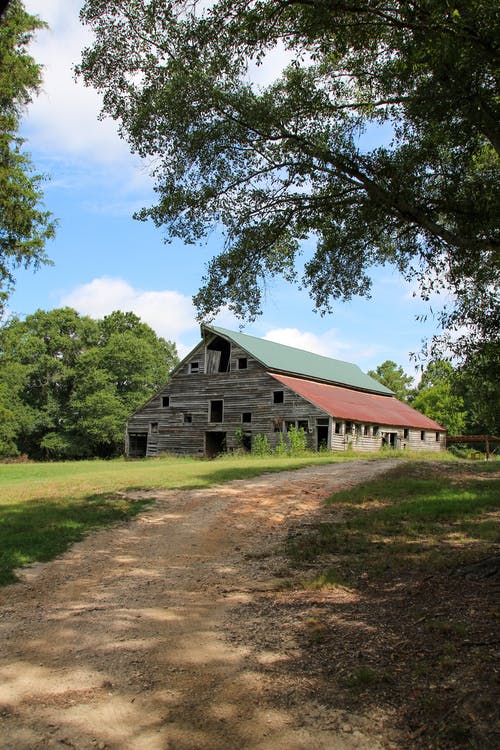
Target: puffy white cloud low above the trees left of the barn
[(169, 313)]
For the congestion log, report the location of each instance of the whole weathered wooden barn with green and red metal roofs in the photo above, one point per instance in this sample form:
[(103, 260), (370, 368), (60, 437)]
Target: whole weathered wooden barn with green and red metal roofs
[(232, 387)]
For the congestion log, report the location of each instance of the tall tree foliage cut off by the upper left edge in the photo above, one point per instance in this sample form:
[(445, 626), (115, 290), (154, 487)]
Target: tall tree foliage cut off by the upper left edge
[(25, 226)]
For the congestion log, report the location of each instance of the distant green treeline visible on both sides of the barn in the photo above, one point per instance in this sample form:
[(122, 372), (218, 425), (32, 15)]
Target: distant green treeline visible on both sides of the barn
[(68, 384)]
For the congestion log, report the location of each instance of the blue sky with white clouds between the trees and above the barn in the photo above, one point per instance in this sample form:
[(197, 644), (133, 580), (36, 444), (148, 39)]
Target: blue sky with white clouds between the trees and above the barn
[(104, 260)]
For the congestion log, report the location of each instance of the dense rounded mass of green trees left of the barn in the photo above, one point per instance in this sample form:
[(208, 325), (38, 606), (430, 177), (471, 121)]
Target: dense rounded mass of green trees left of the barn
[(68, 383)]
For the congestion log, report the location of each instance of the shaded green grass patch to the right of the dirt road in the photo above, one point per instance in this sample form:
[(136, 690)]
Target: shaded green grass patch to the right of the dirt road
[(403, 521)]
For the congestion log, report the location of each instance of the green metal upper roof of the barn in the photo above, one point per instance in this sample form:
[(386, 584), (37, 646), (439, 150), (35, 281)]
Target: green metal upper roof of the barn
[(288, 359)]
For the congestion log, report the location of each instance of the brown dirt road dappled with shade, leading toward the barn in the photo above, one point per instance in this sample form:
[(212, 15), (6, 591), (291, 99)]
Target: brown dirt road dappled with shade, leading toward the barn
[(121, 643)]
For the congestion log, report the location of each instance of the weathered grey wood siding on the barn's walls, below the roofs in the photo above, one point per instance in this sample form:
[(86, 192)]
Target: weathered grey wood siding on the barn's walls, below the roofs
[(181, 426)]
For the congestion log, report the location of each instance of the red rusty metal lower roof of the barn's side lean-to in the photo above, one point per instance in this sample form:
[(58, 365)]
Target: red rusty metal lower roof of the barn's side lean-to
[(358, 406)]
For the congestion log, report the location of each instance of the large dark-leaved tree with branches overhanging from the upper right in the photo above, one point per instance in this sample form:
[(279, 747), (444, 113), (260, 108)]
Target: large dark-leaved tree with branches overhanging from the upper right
[(280, 163)]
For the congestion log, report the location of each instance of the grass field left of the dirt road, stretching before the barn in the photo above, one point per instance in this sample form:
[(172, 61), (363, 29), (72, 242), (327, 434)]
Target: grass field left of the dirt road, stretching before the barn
[(45, 507)]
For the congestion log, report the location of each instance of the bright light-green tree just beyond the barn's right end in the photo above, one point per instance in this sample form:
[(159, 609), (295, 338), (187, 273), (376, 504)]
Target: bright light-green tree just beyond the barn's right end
[(436, 397)]
